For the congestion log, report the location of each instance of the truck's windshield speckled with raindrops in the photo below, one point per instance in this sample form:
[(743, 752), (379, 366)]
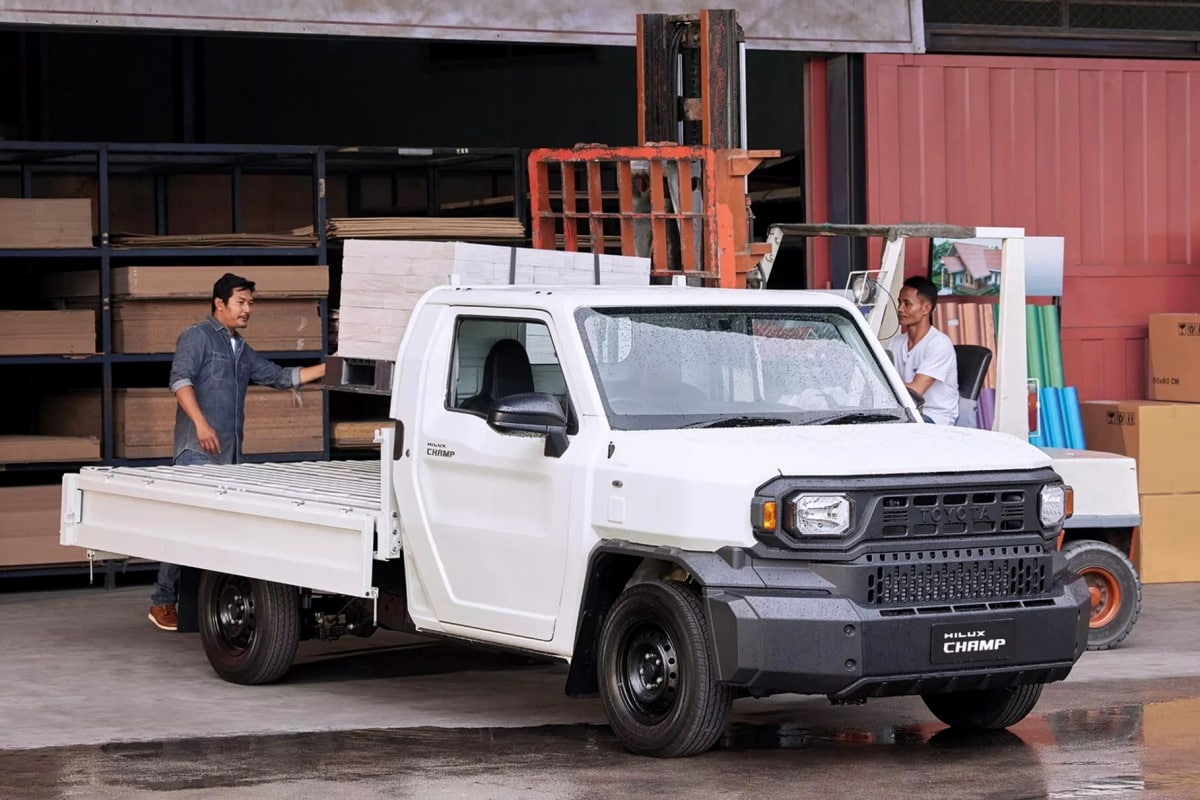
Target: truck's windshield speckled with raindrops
[(723, 368)]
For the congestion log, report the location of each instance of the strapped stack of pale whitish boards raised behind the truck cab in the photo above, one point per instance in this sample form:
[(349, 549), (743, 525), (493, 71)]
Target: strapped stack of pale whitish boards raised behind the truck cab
[(382, 282)]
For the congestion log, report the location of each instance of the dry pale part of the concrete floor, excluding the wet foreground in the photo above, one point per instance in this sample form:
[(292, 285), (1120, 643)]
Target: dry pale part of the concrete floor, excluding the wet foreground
[(86, 666)]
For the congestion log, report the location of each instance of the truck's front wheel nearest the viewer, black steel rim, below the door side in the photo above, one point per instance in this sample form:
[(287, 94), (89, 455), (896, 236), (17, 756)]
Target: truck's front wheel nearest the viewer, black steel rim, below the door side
[(657, 675)]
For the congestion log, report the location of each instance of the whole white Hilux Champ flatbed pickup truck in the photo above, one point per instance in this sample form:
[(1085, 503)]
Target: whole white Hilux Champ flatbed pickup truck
[(688, 495)]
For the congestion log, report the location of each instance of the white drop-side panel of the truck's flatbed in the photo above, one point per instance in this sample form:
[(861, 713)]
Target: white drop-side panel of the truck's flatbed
[(304, 543)]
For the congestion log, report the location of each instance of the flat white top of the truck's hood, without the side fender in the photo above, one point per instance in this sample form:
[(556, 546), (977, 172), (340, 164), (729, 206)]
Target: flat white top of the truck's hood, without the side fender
[(890, 449)]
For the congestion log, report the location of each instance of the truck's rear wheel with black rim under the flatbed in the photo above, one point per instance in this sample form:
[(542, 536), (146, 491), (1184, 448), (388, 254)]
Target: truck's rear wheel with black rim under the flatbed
[(250, 629)]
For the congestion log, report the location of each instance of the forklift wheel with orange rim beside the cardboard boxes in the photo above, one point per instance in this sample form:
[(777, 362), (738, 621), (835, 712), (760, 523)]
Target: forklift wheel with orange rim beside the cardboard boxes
[(1114, 586)]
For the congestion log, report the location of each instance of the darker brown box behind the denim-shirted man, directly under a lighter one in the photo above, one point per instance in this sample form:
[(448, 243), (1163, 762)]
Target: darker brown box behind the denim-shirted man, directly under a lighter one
[(155, 326)]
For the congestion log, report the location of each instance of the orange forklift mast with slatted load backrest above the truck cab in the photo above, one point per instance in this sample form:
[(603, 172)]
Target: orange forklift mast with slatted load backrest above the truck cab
[(680, 196)]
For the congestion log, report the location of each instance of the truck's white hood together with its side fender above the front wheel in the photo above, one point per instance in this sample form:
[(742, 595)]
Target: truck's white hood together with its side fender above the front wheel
[(692, 490)]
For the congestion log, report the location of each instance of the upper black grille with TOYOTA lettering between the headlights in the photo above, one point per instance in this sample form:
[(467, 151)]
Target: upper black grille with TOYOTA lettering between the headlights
[(953, 514)]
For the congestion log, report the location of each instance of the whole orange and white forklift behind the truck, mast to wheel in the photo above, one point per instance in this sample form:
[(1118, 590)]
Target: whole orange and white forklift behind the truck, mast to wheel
[(681, 200)]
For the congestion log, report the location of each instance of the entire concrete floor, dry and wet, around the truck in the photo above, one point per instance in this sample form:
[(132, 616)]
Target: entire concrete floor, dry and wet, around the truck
[(98, 703)]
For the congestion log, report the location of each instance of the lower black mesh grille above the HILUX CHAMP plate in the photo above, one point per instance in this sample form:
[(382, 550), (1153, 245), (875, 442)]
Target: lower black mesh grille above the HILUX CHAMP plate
[(965, 575)]
